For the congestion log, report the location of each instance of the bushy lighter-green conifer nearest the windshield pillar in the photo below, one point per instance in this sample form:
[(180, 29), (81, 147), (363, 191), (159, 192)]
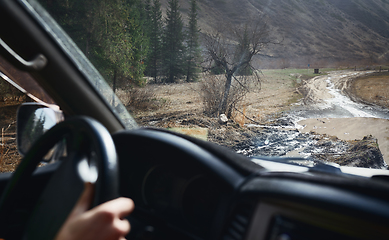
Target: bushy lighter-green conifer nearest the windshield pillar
[(121, 45)]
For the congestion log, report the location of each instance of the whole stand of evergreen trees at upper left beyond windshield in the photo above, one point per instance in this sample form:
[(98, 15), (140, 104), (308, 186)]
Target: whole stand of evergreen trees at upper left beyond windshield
[(130, 39)]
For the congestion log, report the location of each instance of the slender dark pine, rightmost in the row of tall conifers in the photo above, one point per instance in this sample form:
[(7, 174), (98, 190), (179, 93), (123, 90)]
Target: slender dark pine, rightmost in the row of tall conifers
[(193, 47)]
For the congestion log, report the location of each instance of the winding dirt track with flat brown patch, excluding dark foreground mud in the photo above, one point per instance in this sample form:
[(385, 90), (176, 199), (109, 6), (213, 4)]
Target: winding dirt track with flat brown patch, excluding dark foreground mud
[(329, 110)]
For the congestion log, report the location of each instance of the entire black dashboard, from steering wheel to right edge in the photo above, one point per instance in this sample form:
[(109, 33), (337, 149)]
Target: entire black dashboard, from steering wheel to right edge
[(185, 190)]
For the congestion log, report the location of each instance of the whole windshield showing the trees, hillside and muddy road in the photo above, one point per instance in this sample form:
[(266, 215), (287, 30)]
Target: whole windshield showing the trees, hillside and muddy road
[(293, 79)]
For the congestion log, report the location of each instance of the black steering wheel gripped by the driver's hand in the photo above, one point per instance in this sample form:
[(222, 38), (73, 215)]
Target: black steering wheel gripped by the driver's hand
[(90, 156)]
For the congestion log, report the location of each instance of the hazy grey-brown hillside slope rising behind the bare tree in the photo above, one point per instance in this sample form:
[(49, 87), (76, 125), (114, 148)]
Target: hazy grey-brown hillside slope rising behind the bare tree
[(316, 32)]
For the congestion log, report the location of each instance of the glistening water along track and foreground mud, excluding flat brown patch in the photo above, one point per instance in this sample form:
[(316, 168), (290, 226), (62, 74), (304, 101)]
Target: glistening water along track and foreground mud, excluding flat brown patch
[(325, 99)]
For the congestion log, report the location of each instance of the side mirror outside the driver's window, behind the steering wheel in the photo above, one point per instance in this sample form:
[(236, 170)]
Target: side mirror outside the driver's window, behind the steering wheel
[(33, 120)]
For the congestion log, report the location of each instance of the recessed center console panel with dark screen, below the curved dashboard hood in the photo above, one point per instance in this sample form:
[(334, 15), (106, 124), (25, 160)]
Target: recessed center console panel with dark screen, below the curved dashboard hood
[(274, 220)]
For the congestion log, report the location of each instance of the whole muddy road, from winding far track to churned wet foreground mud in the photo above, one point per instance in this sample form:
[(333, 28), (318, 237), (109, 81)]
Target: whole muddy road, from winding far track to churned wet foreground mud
[(327, 125)]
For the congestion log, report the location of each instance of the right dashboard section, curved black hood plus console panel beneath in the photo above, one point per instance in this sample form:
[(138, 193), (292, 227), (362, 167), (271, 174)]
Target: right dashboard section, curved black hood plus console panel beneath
[(306, 210)]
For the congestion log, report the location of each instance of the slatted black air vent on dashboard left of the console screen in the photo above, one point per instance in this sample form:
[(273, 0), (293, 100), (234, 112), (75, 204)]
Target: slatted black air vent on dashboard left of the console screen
[(239, 223)]
